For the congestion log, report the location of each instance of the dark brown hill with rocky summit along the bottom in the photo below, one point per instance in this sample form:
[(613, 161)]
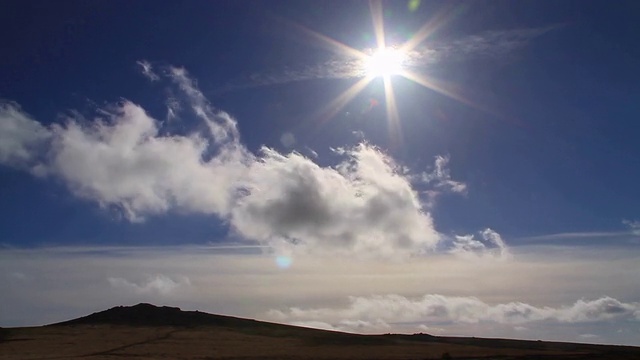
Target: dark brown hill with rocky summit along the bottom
[(145, 331)]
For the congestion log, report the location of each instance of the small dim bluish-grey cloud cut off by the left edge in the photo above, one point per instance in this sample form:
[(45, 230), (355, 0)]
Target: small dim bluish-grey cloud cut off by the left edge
[(21, 137)]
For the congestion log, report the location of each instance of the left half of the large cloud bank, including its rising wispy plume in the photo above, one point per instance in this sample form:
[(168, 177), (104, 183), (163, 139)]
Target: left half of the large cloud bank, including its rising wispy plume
[(120, 160)]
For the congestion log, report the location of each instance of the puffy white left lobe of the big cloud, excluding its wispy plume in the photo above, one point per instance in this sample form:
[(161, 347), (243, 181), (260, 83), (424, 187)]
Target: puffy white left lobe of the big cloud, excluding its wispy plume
[(123, 162)]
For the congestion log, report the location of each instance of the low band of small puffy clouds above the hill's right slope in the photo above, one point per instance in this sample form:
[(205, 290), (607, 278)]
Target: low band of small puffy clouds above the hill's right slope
[(440, 309)]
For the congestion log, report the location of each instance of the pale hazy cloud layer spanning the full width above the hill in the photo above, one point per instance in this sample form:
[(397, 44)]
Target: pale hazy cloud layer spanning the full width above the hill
[(56, 291)]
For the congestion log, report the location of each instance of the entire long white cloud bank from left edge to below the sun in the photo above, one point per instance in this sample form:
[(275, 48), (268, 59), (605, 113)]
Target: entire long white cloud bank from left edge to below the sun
[(364, 205)]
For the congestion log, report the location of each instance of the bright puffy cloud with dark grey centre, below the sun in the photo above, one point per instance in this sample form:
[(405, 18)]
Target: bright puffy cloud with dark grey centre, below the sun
[(363, 206)]
